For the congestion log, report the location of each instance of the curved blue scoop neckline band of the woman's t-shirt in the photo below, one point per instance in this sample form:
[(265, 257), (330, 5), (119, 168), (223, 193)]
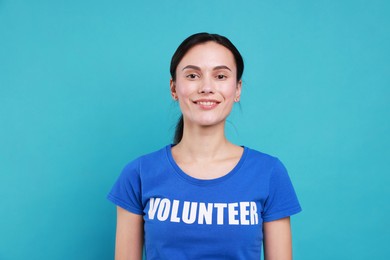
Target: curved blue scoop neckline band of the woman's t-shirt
[(203, 182)]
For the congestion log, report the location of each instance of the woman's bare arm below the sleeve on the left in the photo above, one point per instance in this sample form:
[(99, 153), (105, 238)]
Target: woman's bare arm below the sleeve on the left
[(129, 235)]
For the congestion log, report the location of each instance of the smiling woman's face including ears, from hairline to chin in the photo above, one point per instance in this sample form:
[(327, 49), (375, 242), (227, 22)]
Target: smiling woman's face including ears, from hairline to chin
[(206, 84)]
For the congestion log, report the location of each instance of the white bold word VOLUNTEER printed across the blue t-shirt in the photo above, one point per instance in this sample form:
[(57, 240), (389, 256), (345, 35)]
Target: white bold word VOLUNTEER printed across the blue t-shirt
[(238, 213)]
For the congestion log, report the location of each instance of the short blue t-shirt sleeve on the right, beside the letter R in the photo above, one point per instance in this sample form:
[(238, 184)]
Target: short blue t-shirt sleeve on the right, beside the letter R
[(282, 200)]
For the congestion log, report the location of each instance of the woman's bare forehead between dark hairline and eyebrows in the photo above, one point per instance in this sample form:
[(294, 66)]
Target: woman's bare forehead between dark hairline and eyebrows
[(209, 54)]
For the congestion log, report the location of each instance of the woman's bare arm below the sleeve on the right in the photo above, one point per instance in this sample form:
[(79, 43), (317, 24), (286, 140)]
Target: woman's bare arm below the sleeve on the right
[(277, 240)]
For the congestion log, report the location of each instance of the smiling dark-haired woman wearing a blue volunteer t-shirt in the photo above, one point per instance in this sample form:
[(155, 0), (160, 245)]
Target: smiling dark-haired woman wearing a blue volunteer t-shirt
[(204, 197)]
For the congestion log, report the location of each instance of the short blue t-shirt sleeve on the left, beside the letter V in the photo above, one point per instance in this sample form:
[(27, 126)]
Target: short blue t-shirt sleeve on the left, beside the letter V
[(126, 191)]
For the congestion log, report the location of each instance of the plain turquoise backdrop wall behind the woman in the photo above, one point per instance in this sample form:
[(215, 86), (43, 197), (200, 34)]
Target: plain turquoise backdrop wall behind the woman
[(84, 88)]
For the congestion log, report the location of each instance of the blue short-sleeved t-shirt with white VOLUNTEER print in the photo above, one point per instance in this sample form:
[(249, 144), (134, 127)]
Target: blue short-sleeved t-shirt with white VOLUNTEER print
[(189, 218)]
